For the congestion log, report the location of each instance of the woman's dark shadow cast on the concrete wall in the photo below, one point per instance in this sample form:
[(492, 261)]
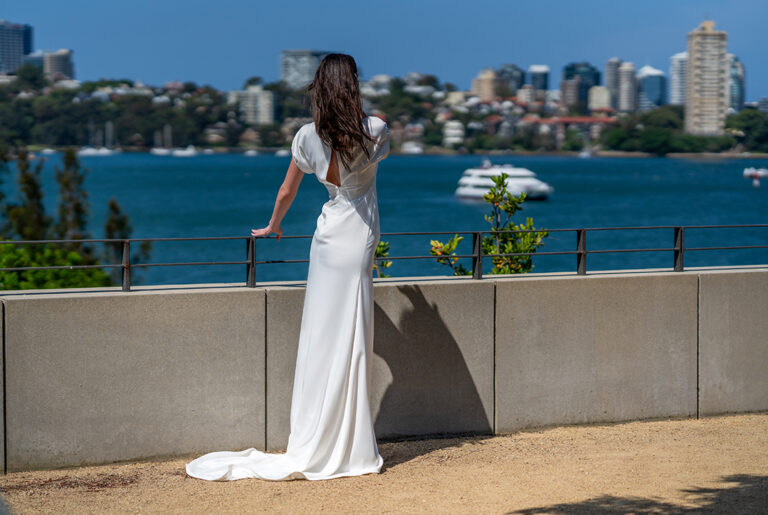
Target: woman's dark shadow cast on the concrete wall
[(431, 385)]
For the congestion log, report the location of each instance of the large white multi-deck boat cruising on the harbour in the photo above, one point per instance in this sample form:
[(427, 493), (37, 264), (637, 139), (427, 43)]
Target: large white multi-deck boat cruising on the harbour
[(475, 182)]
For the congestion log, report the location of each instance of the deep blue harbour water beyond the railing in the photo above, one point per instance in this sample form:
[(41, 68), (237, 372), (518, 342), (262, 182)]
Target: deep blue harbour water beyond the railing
[(227, 195)]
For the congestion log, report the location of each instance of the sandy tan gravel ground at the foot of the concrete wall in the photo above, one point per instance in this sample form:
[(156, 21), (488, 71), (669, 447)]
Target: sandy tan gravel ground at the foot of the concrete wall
[(715, 464)]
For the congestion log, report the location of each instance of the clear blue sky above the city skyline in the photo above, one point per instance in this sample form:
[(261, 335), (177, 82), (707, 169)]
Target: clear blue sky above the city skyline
[(224, 42)]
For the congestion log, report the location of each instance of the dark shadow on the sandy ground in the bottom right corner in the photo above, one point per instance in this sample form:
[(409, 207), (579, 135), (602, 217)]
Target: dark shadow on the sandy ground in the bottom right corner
[(749, 495)]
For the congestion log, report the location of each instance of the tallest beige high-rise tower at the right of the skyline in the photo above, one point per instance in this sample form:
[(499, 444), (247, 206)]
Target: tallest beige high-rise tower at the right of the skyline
[(706, 99)]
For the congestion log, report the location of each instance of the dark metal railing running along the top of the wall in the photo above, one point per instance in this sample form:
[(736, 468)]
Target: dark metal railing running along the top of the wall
[(581, 251)]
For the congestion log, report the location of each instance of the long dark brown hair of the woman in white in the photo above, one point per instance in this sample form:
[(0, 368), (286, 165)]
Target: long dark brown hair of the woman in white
[(336, 106)]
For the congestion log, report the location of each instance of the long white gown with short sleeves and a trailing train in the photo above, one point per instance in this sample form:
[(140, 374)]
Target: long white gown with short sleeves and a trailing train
[(331, 424)]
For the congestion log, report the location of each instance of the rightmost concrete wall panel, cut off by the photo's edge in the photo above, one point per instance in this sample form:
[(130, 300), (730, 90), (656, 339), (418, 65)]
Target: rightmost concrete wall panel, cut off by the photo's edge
[(733, 342)]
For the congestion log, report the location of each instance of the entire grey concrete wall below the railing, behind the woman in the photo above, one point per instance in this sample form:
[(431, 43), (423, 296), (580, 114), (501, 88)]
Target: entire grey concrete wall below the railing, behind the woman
[(101, 375)]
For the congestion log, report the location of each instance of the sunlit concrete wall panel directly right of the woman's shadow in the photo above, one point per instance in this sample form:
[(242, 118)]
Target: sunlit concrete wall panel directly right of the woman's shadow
[(594, 349)]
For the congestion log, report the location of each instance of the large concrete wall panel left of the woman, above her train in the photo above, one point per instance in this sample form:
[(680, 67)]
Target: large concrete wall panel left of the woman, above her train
[(95, 379)]
